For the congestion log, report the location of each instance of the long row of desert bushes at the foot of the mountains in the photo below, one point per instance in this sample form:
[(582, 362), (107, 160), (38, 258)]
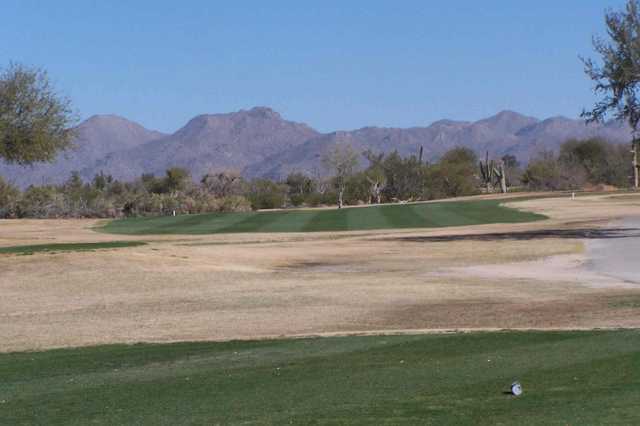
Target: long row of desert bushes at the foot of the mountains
[(388, 178)]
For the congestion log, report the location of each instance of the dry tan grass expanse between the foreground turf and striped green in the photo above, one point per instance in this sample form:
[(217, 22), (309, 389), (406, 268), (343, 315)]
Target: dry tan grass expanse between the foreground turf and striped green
[(223, 287)]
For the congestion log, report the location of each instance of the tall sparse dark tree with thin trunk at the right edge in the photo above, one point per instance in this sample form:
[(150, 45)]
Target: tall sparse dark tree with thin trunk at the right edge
[(617, 78)]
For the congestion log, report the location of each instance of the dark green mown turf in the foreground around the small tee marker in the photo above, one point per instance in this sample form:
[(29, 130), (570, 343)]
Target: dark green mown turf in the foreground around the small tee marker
[(575, 378)]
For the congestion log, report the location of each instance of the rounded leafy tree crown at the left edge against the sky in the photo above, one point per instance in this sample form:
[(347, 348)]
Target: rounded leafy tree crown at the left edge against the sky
[(34, 119)]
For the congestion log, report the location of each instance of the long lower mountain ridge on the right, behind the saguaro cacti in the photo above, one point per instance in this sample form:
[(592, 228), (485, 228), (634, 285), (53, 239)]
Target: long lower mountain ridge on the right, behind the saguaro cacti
[(505, 133)]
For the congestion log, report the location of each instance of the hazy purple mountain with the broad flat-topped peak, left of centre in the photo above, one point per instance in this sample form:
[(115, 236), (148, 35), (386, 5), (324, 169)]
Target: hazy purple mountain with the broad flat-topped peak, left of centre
[(210, 142)]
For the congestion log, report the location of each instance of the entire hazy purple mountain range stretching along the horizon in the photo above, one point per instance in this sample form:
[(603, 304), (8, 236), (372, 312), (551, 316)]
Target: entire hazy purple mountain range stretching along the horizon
[(260, 143)]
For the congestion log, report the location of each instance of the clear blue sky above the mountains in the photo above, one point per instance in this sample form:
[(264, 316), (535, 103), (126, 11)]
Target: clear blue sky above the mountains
[(332, 64)]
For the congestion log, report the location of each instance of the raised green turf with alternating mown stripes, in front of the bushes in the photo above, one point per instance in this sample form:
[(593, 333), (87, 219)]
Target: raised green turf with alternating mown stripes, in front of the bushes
[(391, 216)]
